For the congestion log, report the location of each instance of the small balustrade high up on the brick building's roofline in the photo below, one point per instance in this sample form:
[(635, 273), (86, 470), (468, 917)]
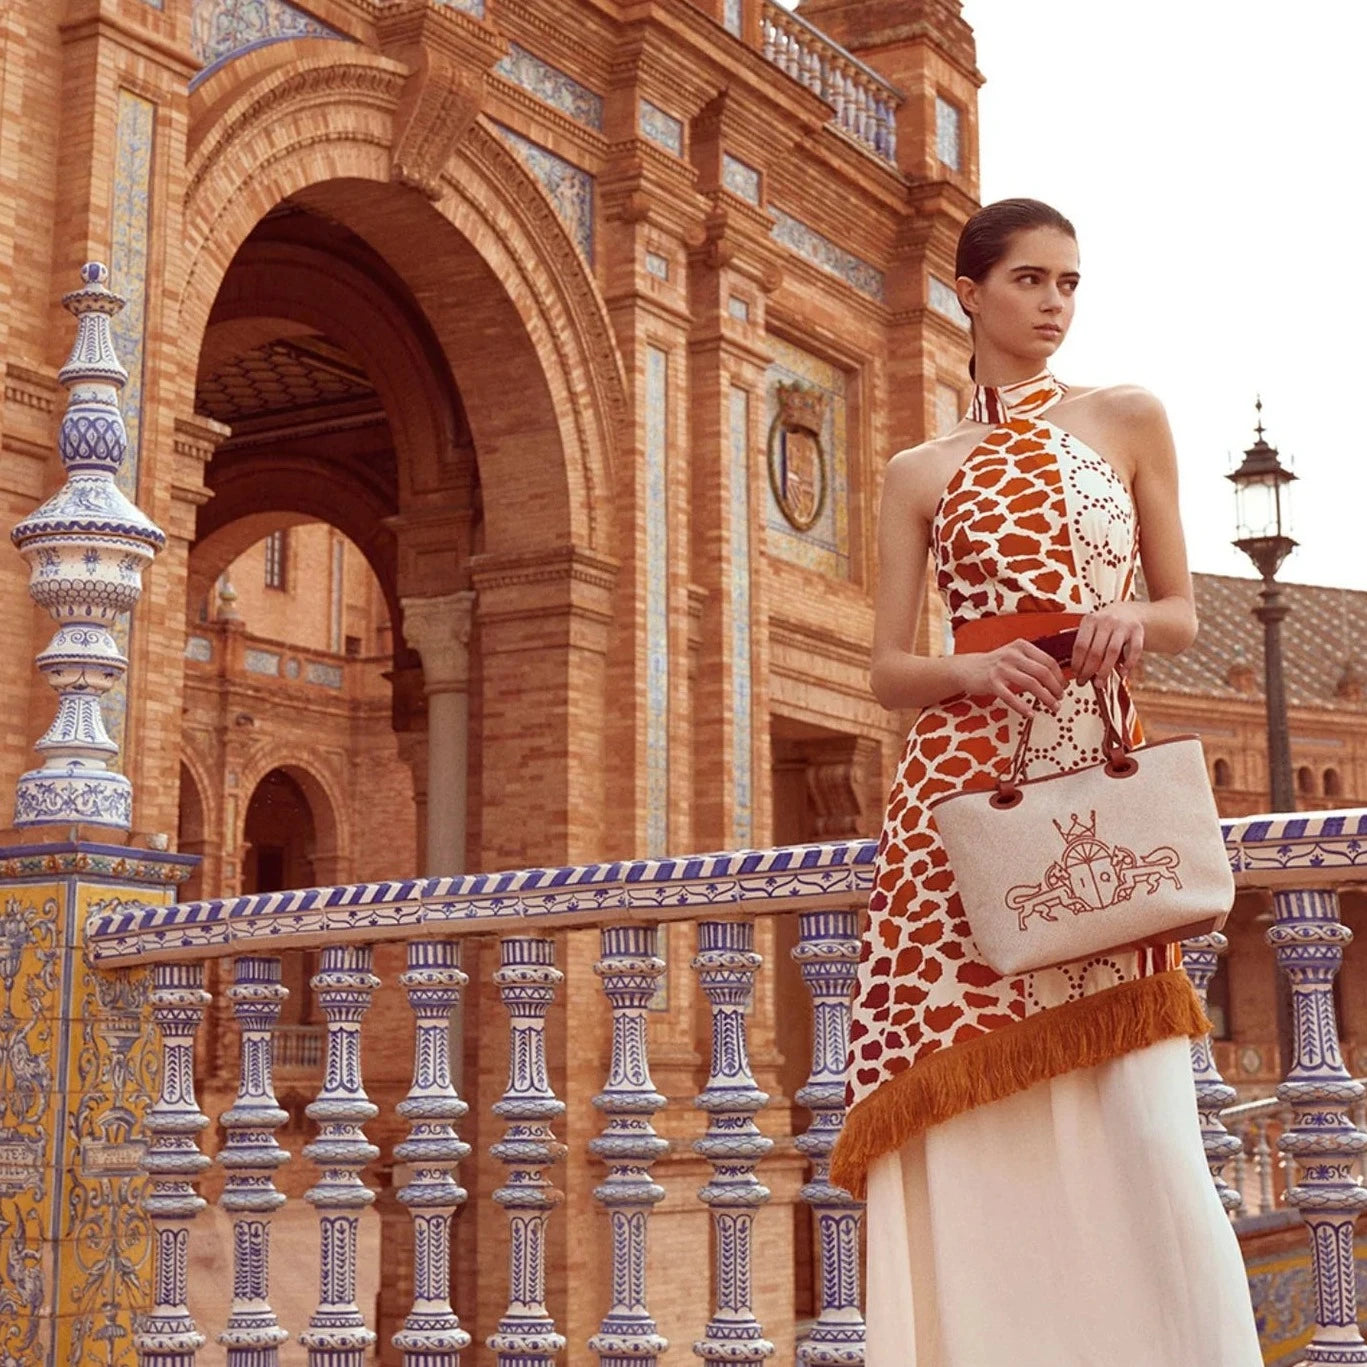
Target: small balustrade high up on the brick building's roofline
[(866, 106)]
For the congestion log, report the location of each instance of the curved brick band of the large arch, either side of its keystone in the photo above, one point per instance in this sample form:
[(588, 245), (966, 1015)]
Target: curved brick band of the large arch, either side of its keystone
[(489, 260)]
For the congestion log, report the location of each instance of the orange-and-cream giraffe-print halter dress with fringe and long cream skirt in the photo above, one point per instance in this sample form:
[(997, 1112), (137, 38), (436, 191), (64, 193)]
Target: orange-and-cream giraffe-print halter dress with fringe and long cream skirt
[(1029, 1146)]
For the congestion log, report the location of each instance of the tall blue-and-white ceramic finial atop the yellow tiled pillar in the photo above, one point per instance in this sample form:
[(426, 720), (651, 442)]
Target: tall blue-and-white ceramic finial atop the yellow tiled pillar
[(87, 549)]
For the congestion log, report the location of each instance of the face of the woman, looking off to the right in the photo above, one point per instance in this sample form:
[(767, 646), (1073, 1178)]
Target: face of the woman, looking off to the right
[(1025, 306)]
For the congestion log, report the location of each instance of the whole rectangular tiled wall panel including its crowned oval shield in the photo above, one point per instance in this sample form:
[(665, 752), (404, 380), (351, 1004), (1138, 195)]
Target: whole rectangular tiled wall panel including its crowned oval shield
[(807, 455)]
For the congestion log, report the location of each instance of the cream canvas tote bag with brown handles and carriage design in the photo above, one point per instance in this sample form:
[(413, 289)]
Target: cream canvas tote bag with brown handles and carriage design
[(1075, 865)]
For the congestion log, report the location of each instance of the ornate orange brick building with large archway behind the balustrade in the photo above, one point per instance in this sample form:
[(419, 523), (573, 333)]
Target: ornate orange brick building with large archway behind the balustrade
[(513, 381)]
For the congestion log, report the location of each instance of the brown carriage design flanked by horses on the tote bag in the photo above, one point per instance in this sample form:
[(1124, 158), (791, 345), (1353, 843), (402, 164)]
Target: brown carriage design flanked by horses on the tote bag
[(1092, 876)]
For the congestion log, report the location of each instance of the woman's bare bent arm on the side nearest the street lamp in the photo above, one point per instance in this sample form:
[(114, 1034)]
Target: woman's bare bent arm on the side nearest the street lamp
[(1118, 636)]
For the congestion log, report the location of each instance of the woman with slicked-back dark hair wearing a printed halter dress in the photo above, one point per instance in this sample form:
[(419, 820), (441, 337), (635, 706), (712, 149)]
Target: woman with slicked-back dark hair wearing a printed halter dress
[(1029, 1146)]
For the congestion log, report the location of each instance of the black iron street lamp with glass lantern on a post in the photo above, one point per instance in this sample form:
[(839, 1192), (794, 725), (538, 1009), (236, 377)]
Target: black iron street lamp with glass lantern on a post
[(1262, 500)]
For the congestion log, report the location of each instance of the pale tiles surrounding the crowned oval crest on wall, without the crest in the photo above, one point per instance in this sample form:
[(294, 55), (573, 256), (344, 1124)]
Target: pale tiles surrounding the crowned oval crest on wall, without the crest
[(825, 546)]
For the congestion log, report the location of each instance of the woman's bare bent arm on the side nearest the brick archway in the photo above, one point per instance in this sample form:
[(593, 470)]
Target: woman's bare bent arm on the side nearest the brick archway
[(900, 677)]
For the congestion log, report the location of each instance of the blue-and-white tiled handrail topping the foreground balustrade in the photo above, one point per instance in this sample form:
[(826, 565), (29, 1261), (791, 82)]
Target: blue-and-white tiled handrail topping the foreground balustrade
[(770, 881)]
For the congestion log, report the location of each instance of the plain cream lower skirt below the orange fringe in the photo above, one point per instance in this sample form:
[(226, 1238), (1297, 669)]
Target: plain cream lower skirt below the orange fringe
[(1070, 1226)]
